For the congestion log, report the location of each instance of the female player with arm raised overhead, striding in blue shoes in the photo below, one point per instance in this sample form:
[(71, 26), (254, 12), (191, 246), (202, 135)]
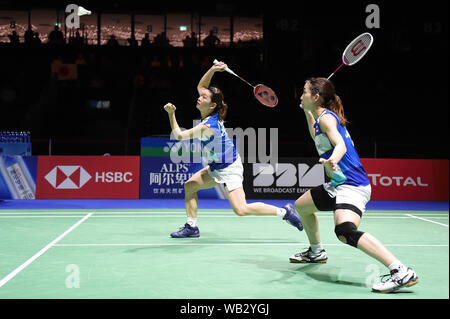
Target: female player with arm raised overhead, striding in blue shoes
[(224, 163)]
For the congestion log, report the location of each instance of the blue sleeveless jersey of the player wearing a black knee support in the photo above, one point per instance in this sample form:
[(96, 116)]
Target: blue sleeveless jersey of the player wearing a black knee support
[(351, 171)]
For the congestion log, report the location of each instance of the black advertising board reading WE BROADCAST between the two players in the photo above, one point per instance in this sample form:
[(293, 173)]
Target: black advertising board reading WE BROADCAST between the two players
[(288, 179)]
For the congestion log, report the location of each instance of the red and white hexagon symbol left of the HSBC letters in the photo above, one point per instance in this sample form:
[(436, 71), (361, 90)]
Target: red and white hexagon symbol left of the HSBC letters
[(68, 177)]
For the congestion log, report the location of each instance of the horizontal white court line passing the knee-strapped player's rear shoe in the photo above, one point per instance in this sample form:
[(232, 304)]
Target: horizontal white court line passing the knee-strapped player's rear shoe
[(233, 244)]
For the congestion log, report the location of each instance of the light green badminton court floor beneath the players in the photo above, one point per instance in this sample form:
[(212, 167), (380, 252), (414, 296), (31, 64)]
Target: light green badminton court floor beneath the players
[(105, 254)]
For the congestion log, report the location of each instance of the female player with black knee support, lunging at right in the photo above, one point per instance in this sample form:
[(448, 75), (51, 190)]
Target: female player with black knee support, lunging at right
[(348, 191)]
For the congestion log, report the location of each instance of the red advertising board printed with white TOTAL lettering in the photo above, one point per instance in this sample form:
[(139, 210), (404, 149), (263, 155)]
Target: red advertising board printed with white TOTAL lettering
[(408, 179)]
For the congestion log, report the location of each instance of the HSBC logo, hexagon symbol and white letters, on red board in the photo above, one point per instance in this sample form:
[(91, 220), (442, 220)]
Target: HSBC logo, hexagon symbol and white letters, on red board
[(75, 177)]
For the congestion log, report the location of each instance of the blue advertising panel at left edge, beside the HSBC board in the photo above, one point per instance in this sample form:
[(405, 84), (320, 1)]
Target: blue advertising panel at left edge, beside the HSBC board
[(18, 177)]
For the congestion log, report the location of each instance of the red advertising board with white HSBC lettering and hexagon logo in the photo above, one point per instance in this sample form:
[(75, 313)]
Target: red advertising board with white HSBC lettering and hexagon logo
[(87, 177)]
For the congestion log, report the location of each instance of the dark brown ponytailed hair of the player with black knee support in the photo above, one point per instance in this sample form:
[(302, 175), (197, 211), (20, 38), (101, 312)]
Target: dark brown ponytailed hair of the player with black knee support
[(329, 98)]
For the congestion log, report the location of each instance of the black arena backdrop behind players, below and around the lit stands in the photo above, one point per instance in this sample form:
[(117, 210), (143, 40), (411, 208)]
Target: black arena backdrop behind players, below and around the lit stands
[(396, 98)]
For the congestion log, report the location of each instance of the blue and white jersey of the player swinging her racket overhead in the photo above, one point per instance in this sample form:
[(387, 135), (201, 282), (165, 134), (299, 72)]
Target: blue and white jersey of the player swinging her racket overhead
[(219, 148)]
